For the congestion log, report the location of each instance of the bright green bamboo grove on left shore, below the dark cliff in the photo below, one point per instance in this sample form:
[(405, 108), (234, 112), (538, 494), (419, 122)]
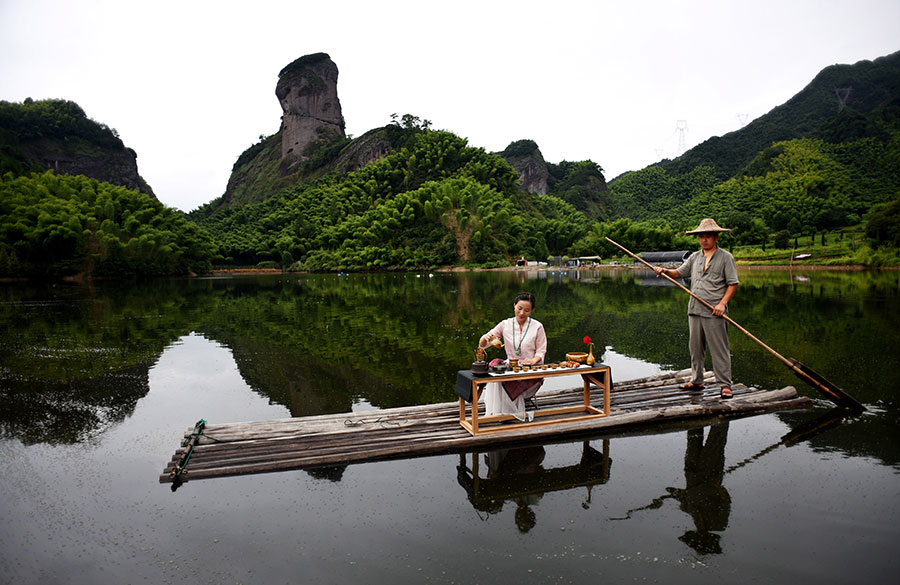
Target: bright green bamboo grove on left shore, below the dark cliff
[(55, 225)]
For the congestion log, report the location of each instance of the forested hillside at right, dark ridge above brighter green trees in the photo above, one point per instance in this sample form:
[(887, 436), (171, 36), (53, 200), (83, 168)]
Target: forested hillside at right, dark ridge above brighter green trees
[(821, 161)]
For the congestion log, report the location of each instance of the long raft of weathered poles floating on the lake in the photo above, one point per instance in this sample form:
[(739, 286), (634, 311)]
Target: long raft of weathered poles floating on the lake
[(222, 450)]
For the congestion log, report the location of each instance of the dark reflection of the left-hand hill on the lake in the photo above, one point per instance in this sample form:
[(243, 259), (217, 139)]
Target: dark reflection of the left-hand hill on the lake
[(75, 359)]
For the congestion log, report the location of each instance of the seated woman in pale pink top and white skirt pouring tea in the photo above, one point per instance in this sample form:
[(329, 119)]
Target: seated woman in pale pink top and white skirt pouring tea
[(525, 340)]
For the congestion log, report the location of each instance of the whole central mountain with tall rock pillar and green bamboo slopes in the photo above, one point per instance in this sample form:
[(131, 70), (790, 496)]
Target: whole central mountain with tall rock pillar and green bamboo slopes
[(399, 197)]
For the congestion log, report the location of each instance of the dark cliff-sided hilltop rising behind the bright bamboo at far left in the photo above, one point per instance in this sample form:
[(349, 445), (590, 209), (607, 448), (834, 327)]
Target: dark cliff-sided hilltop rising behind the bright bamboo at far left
[(57, 134)]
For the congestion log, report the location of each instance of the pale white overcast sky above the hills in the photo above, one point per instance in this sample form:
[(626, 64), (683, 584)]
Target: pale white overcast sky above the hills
[(189, 85)]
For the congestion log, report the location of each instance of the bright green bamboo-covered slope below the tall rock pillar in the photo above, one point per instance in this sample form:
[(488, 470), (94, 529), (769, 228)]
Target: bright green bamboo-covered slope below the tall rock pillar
[(434, 201)]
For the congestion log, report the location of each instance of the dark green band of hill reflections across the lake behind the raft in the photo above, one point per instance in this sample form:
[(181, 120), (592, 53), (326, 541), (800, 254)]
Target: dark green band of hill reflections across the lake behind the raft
[(75, 359)]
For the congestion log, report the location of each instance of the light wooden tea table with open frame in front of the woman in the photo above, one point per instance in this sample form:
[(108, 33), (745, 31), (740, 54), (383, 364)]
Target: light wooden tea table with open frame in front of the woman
[(598, 374)]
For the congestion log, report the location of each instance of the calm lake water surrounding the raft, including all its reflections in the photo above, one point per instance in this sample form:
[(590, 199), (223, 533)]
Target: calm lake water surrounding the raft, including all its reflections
[(98, 384)]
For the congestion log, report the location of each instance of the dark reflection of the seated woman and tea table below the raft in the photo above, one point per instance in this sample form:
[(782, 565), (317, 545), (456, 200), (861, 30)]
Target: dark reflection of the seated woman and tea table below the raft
[(518, 476)]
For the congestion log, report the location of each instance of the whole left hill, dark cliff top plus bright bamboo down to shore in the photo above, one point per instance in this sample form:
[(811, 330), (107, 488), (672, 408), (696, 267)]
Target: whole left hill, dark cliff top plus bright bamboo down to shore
[(72, 204)]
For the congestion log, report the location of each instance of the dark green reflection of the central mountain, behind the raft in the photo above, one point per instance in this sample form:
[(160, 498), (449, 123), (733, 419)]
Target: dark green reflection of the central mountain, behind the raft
[(394, 343)]
